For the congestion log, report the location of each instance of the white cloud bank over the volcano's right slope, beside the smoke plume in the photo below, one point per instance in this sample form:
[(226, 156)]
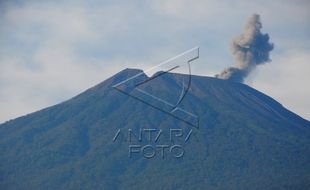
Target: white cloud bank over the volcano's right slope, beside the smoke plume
[(287, 80)]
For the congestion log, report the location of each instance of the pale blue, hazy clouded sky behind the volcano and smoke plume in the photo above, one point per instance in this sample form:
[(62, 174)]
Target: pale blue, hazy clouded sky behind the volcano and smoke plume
[(51, 51)]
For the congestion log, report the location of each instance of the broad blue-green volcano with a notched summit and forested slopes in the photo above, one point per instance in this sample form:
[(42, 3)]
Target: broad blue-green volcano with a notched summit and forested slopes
[(106, 139)]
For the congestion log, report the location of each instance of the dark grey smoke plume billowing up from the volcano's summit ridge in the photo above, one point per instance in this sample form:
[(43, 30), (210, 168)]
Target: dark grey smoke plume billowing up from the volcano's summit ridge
[(249, 49)]
